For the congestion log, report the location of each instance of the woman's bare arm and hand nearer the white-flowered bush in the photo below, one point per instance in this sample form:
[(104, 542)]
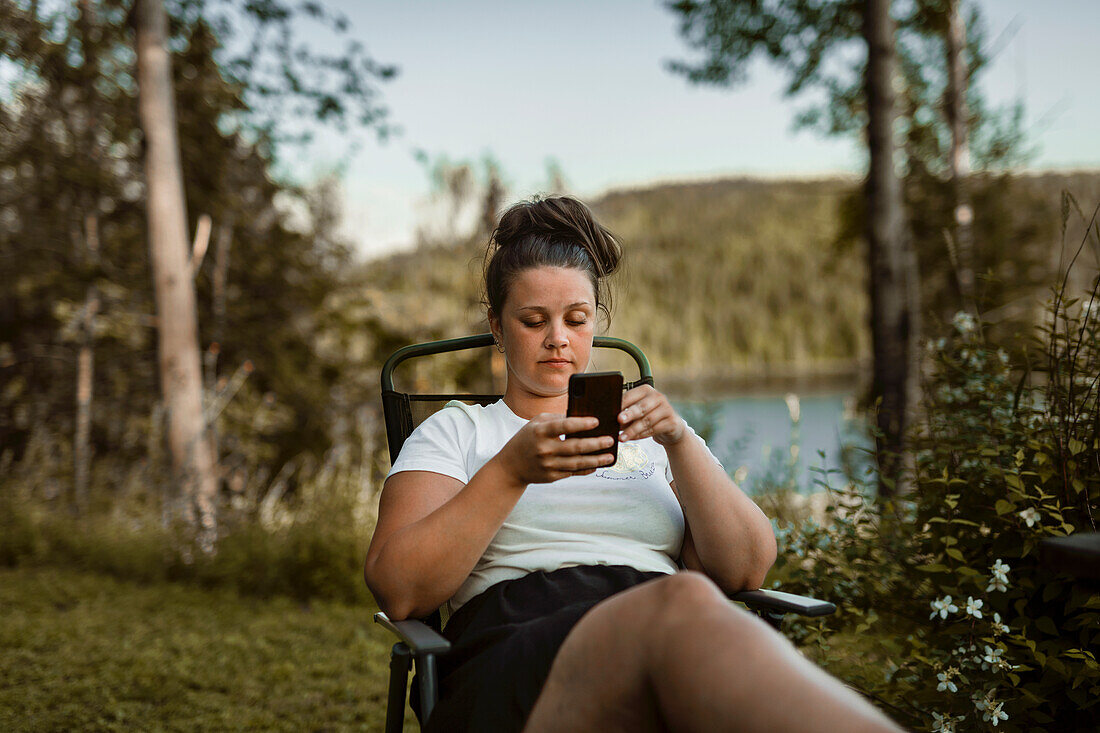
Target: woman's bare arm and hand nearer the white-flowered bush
[(728, 537)]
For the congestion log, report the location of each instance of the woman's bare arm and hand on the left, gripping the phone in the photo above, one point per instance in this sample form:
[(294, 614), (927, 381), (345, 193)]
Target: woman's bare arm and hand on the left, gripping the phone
[(433, 529)]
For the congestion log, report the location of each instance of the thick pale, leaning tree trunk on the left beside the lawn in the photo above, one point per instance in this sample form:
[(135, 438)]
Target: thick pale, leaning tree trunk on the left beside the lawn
[(178, 329)]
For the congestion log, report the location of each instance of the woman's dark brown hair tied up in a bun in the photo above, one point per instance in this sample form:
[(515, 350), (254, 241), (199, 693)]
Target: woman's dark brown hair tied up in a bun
[(558, 232)]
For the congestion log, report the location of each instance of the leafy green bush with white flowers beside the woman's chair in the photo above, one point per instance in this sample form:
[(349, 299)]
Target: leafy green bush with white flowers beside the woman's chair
[(949, 618)]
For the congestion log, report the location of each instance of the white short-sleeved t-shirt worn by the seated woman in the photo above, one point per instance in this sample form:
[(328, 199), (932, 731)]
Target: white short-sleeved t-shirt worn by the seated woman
[(623, 515)]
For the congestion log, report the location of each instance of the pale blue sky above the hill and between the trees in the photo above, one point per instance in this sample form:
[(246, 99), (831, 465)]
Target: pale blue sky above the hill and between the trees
[(585, 83)]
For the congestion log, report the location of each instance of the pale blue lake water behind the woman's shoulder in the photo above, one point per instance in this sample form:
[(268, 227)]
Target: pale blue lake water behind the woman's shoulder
[(753, 435)]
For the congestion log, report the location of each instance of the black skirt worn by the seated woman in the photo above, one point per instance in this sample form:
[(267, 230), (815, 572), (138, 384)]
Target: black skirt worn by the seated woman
[(505, 640)]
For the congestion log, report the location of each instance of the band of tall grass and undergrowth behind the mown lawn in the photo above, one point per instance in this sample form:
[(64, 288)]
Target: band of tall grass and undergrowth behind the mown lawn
[(310, 545)]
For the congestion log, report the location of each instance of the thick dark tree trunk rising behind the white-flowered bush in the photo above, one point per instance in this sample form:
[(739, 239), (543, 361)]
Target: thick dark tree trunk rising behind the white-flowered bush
[(895, 299)]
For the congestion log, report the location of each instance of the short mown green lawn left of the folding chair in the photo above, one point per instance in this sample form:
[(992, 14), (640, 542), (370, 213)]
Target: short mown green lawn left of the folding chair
[(87, 652)]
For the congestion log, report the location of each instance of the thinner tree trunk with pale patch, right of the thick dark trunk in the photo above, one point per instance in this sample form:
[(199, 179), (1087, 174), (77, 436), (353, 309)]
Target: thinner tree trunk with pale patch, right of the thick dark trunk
[(959, 121)]
